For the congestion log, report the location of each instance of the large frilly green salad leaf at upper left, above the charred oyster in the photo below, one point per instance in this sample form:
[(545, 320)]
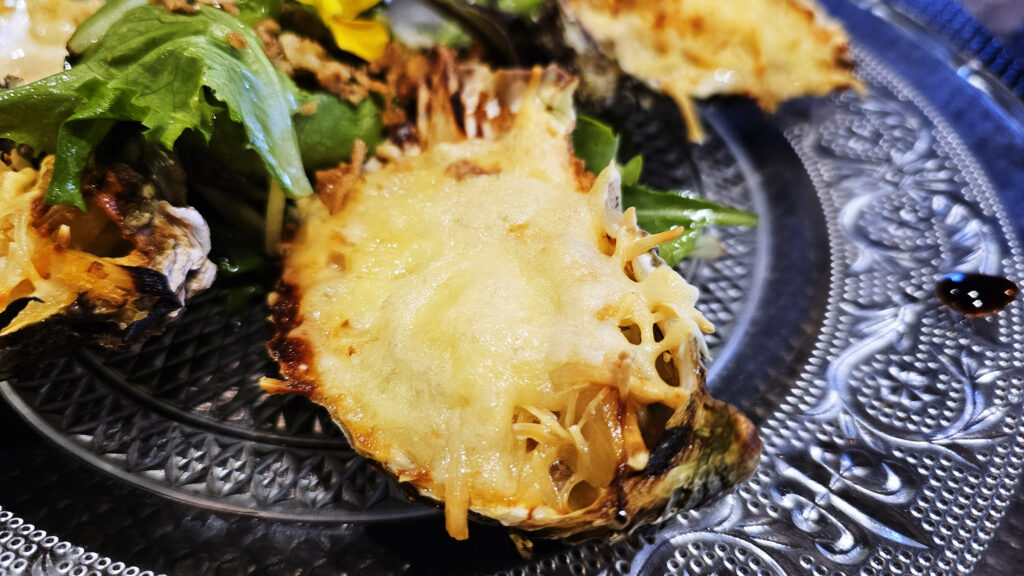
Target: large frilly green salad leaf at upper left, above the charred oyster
[(169, 72)]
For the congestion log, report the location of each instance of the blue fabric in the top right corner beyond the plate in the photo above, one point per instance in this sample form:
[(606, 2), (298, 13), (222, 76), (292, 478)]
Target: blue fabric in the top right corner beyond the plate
[(1004, 58)]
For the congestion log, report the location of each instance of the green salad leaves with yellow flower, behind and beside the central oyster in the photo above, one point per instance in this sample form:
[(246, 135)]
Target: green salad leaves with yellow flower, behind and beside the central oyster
[(200, 81)]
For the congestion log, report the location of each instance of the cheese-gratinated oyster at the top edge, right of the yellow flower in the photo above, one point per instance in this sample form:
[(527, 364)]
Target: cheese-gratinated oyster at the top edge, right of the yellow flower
[(770, 51)]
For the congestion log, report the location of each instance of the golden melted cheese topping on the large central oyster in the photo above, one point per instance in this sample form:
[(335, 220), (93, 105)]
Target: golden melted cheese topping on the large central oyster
[(470, 310)]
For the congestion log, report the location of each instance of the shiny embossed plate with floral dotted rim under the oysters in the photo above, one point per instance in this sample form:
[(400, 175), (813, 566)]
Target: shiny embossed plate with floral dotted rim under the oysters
[(892, 426)]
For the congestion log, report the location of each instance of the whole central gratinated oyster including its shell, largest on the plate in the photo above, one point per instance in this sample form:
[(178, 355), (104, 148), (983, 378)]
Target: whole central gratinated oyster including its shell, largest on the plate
[(481, 318)]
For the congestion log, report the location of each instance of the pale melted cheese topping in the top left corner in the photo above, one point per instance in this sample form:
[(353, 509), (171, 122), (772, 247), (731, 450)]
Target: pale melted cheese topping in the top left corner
[(34, 33)]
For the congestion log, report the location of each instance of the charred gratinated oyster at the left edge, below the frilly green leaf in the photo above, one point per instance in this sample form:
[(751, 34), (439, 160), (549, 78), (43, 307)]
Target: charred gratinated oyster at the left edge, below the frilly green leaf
[(114, 274)]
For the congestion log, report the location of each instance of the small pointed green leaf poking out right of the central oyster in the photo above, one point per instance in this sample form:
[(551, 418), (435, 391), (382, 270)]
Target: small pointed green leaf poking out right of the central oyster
[(598, 145)]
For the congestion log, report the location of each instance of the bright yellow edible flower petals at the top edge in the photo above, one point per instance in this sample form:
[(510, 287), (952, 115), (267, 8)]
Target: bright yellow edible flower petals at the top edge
[(365, 38)]
